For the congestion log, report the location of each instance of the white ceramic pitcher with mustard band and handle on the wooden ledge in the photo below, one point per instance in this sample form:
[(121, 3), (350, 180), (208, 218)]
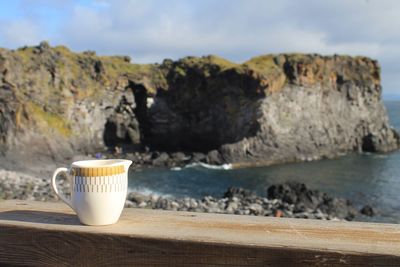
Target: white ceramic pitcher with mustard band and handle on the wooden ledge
[(99, 189)]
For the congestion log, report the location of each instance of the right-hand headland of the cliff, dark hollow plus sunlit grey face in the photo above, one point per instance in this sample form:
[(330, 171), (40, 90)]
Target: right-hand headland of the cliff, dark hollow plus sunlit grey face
[(272, 109)]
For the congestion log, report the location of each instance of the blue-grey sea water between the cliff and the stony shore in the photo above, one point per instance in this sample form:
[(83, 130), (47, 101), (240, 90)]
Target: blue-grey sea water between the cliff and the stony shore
[(372, 179)]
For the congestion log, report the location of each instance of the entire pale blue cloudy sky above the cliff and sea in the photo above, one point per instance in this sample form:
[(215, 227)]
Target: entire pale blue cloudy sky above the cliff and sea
[(152, 30)]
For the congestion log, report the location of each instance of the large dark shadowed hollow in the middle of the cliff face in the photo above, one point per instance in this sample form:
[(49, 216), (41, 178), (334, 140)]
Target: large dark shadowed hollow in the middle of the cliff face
[(198, 112)]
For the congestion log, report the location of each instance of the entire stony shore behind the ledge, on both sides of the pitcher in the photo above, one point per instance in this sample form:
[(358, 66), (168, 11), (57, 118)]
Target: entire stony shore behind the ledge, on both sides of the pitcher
[(283, 200)]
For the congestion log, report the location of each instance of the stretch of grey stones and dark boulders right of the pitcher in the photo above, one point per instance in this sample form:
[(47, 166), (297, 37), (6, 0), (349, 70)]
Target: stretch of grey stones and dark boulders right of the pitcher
[(292, 200)]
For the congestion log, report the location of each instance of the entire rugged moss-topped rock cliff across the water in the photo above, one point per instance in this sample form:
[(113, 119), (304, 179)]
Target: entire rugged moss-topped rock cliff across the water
[(270, 109)]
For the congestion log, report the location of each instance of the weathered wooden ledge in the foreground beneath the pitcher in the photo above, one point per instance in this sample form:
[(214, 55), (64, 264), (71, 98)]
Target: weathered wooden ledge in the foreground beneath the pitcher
[(49, 234)]
